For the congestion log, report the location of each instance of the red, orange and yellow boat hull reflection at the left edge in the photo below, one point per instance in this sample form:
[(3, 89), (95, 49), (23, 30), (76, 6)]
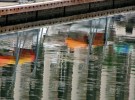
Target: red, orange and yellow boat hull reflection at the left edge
[(25, 56)]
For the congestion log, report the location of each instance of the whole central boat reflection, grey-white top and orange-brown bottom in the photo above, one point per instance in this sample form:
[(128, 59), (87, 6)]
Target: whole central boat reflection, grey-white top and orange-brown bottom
[(82, 34)]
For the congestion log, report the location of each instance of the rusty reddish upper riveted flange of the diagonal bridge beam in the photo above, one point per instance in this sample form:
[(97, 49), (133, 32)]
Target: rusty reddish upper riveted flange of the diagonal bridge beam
[(41, 6)]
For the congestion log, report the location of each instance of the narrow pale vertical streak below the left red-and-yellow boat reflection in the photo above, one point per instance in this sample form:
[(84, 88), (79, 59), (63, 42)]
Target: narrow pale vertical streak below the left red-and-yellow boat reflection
[(17, 88)]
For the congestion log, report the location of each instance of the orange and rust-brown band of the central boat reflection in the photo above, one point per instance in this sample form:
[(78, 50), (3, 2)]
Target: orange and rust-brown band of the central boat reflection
[(73, 43)]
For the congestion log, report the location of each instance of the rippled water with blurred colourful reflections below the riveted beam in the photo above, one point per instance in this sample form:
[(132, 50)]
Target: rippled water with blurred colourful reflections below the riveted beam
[(86, 60)]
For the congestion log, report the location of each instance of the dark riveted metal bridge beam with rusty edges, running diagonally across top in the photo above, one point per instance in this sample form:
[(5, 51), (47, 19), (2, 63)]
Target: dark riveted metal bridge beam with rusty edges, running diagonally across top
[(20, 17)]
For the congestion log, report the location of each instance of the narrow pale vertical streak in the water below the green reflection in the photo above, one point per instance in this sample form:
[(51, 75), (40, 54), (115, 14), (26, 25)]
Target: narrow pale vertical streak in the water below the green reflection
[(103, 85)]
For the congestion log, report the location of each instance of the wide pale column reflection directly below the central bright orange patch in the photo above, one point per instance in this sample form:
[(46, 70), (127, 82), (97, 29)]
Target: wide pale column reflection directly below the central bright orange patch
[(79, 75)]
